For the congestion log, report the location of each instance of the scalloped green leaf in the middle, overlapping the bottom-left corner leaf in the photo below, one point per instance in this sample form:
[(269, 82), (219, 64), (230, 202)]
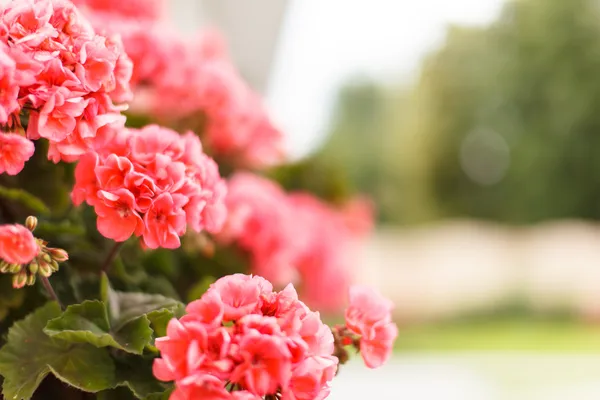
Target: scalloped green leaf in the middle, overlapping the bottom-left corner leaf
[(88, 323)]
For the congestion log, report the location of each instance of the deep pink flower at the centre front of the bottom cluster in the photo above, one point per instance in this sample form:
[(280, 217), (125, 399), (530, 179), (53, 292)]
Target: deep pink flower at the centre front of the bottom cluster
[(266, 363)]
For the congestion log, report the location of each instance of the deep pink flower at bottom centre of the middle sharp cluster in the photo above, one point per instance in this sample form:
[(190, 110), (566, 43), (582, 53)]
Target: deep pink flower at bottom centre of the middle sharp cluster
[(165, 221)]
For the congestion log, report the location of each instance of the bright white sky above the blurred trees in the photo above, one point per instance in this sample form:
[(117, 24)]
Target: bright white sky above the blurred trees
[(324, 43)]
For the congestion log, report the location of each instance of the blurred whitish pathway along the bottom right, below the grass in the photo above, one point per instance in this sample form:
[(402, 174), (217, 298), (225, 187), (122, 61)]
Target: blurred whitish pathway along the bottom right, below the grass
[(474, 376)]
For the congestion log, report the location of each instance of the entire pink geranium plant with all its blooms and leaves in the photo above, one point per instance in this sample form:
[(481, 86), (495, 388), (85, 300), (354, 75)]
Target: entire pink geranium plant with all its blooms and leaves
[(127, 142)]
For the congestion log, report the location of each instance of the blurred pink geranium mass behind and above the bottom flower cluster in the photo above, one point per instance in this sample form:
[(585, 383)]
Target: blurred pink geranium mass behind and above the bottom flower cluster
[(295, 237)]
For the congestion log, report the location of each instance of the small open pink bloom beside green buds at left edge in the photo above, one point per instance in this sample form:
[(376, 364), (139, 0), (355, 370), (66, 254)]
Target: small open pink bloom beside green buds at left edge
[(17, 244)]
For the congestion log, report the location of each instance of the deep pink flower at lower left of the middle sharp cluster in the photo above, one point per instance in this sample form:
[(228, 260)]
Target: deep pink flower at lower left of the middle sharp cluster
[(117, 218)]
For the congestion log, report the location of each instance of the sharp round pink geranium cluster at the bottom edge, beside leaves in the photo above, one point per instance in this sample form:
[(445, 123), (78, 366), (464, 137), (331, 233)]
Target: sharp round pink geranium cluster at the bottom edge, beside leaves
[(242, 340)]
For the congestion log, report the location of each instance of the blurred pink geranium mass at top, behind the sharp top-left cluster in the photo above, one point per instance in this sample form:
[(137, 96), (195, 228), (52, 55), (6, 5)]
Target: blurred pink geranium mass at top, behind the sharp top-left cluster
[(202, 87)]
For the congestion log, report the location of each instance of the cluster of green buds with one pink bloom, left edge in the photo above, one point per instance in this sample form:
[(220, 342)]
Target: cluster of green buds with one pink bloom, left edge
[(43, 260)]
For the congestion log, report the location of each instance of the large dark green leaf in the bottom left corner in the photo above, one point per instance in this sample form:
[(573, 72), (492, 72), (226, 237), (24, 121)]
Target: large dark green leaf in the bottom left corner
[(29, 355)]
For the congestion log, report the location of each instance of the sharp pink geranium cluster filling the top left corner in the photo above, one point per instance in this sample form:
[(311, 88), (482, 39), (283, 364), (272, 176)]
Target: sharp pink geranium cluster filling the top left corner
[(60, 77)]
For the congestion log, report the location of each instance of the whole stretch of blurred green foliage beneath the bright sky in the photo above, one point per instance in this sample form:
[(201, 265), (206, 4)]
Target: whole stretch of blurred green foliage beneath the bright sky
[(502, 123)]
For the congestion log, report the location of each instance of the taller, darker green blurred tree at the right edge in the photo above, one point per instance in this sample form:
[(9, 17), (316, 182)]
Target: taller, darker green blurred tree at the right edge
[(511, 128)]
